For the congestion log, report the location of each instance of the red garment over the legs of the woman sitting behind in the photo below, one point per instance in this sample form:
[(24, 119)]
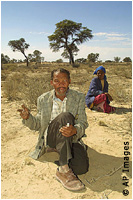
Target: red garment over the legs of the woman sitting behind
[(104, 106)]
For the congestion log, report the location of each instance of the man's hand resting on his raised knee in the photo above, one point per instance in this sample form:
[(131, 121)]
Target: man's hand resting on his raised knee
[(68, 131)]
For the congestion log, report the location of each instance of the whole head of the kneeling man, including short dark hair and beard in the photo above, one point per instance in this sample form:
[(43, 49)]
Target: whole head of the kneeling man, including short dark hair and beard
[(60, 80)]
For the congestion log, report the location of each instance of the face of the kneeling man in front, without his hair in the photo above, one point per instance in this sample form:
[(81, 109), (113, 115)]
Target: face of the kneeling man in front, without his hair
[(60, 83)]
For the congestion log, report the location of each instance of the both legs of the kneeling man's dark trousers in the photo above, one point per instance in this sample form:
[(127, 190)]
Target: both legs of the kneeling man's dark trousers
[(70, 153)]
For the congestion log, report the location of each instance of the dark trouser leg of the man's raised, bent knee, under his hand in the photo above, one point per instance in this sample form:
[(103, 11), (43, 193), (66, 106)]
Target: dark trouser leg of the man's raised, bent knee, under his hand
[(55, 139)]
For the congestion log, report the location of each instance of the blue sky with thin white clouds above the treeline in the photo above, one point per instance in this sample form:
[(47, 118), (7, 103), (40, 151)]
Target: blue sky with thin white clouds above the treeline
[(110, 22)]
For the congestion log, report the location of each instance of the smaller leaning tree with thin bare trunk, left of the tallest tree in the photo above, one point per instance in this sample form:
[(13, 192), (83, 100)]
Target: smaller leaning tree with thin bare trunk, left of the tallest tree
[(19, 45)]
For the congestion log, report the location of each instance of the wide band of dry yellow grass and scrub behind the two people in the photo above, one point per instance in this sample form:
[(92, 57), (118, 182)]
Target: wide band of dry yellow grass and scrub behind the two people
[(29, 83)]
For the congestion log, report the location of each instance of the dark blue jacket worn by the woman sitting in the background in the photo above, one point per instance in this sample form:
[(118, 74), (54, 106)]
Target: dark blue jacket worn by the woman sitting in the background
[(95, 89)]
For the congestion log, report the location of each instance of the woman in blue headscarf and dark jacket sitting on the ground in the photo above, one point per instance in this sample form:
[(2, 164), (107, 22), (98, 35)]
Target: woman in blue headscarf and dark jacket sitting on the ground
[(98, 95)]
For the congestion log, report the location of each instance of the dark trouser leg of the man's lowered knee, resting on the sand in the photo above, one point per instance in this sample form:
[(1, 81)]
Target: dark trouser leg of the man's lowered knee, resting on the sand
[(80, 161)]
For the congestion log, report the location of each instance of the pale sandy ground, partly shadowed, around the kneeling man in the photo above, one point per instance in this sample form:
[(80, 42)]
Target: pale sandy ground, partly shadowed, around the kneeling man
[(25, 178)]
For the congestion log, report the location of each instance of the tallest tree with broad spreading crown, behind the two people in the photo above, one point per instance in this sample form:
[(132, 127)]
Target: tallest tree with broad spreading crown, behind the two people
[(68, 35)]
